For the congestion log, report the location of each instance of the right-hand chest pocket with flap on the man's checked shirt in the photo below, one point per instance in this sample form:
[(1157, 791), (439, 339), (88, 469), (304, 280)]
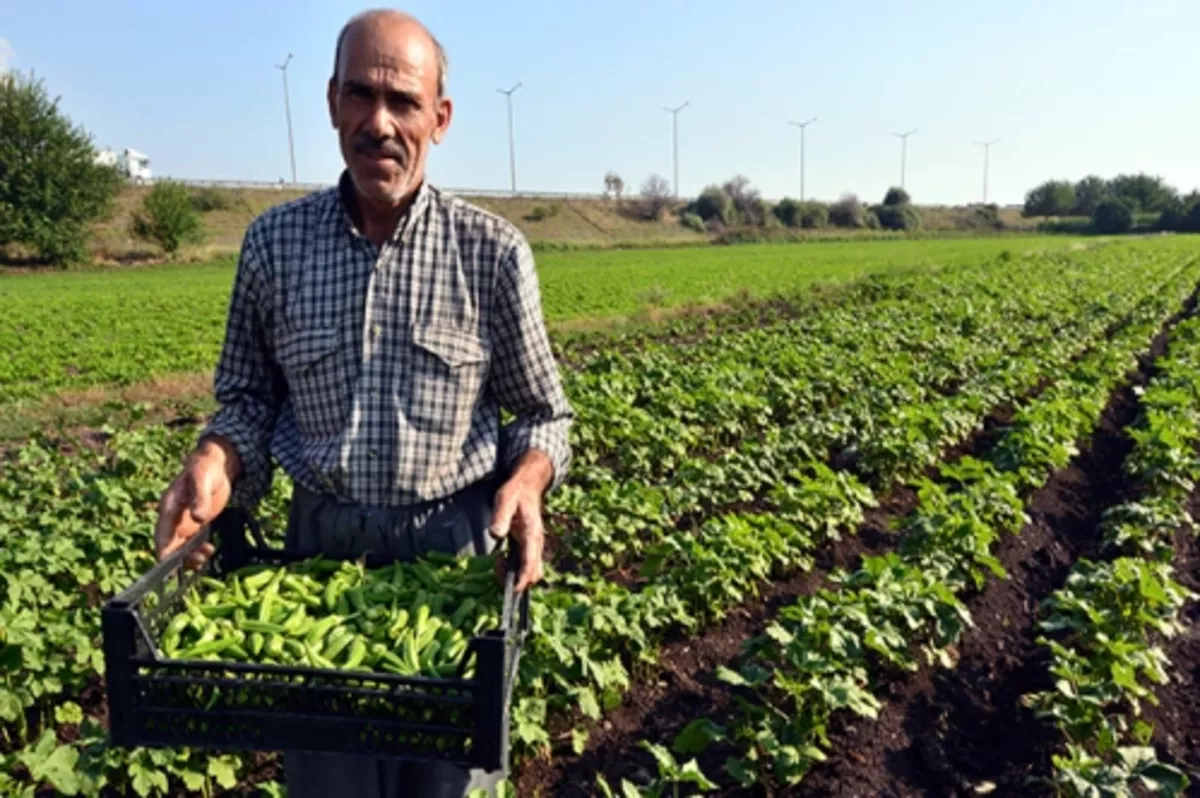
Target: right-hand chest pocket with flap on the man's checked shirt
[(449, 369)]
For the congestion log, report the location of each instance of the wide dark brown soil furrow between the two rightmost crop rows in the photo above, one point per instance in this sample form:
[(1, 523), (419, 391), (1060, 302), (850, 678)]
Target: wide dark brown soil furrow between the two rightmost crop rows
[(950, 733)]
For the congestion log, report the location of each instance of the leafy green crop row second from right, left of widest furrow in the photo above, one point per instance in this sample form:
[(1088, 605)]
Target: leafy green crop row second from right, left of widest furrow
[(825, 653)]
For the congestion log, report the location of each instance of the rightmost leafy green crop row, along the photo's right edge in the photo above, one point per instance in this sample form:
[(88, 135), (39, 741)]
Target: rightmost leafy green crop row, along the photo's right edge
[(1106, 628)]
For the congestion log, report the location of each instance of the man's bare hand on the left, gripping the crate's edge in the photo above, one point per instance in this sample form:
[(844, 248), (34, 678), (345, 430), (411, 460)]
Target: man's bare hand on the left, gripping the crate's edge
[(196, 497)]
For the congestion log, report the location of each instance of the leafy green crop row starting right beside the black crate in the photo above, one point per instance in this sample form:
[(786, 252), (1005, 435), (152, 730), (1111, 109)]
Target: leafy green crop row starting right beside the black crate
[(591, 629)]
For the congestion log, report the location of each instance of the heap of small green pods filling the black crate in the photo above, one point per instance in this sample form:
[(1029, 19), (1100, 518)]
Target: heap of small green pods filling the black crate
[(407, 619)]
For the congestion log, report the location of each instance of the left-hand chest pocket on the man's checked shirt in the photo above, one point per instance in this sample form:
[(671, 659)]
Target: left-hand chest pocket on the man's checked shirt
[(314, 367)]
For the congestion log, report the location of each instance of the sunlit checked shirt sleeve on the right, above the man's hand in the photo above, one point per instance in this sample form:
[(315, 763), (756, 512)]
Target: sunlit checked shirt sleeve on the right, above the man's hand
[(525, 377)]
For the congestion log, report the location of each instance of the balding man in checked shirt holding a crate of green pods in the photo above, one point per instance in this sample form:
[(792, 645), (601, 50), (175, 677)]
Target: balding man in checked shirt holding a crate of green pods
[(375, 333)]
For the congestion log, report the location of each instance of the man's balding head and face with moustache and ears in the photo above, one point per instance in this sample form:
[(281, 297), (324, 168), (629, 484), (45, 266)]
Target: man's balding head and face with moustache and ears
[(386, 106)]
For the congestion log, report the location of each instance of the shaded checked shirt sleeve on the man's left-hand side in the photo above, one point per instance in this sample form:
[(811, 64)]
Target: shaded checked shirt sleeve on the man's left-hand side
[(249, 387)]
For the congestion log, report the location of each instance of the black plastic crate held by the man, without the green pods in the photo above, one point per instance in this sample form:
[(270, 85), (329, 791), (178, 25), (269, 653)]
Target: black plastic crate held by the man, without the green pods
[(154, 701)]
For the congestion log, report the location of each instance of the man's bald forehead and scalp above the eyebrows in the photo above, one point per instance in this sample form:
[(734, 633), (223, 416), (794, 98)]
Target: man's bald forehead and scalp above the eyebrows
[(389, 55)]
